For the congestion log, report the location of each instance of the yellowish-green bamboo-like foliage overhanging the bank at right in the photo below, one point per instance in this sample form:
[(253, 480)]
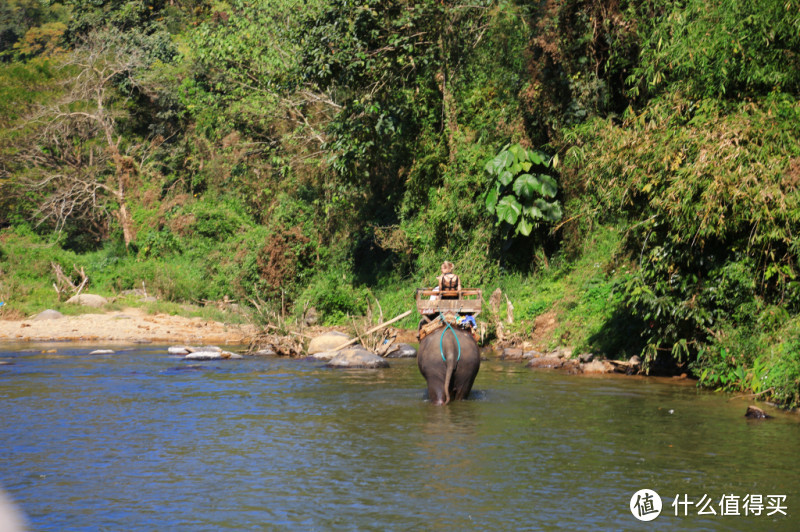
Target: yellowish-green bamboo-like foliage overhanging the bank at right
[(710, 188)]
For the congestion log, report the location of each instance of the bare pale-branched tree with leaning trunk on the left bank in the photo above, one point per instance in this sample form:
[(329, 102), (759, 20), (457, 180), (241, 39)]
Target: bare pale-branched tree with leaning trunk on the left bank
[(74, 158)]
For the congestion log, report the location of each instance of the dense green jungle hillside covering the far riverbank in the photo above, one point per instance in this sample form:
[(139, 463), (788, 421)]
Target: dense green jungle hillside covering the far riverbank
[(629, 169)]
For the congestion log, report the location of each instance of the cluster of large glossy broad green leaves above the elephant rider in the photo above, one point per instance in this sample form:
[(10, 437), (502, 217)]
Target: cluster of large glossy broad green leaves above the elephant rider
[(519, 195)]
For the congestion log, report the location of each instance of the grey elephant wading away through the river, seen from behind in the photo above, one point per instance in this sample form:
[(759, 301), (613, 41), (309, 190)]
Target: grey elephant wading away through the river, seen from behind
[(449, 375)]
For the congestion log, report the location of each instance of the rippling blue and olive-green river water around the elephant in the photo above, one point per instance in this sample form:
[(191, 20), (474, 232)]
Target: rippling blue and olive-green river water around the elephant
[(140, 440)]
